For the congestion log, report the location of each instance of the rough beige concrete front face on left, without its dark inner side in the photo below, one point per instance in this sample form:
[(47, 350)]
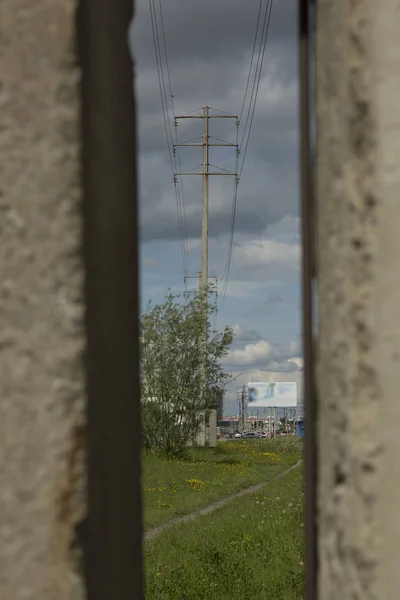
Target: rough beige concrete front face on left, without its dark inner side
[(41, 329)]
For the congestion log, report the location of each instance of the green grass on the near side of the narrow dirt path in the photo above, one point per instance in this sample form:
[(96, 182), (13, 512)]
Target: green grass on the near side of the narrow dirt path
[(251, 548)]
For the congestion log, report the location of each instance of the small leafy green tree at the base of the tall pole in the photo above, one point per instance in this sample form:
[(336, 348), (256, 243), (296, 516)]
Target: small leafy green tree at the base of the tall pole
[(174, 368)]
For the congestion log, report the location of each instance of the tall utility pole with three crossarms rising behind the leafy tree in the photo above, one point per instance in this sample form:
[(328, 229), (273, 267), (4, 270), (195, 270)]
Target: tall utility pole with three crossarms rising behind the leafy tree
[(203, 287)]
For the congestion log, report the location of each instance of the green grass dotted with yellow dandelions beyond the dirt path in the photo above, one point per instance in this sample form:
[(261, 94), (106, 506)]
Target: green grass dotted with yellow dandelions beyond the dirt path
[(176, 487)]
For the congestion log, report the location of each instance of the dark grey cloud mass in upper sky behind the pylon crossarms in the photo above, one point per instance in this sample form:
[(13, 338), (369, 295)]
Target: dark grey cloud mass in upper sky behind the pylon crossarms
[(209, 47)]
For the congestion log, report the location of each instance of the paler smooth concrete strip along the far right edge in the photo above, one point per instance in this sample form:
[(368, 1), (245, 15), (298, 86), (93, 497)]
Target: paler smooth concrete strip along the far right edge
[(386, 43)]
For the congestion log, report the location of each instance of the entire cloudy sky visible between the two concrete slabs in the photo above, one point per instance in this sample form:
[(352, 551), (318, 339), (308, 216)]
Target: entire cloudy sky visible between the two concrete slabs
[(209, 45)]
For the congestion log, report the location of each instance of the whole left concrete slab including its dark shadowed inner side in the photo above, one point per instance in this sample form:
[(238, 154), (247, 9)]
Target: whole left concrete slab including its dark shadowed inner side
[(69, 384)]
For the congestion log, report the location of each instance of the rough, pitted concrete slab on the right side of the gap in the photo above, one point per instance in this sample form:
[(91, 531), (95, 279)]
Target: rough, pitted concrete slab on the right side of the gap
[(358, 379)]
